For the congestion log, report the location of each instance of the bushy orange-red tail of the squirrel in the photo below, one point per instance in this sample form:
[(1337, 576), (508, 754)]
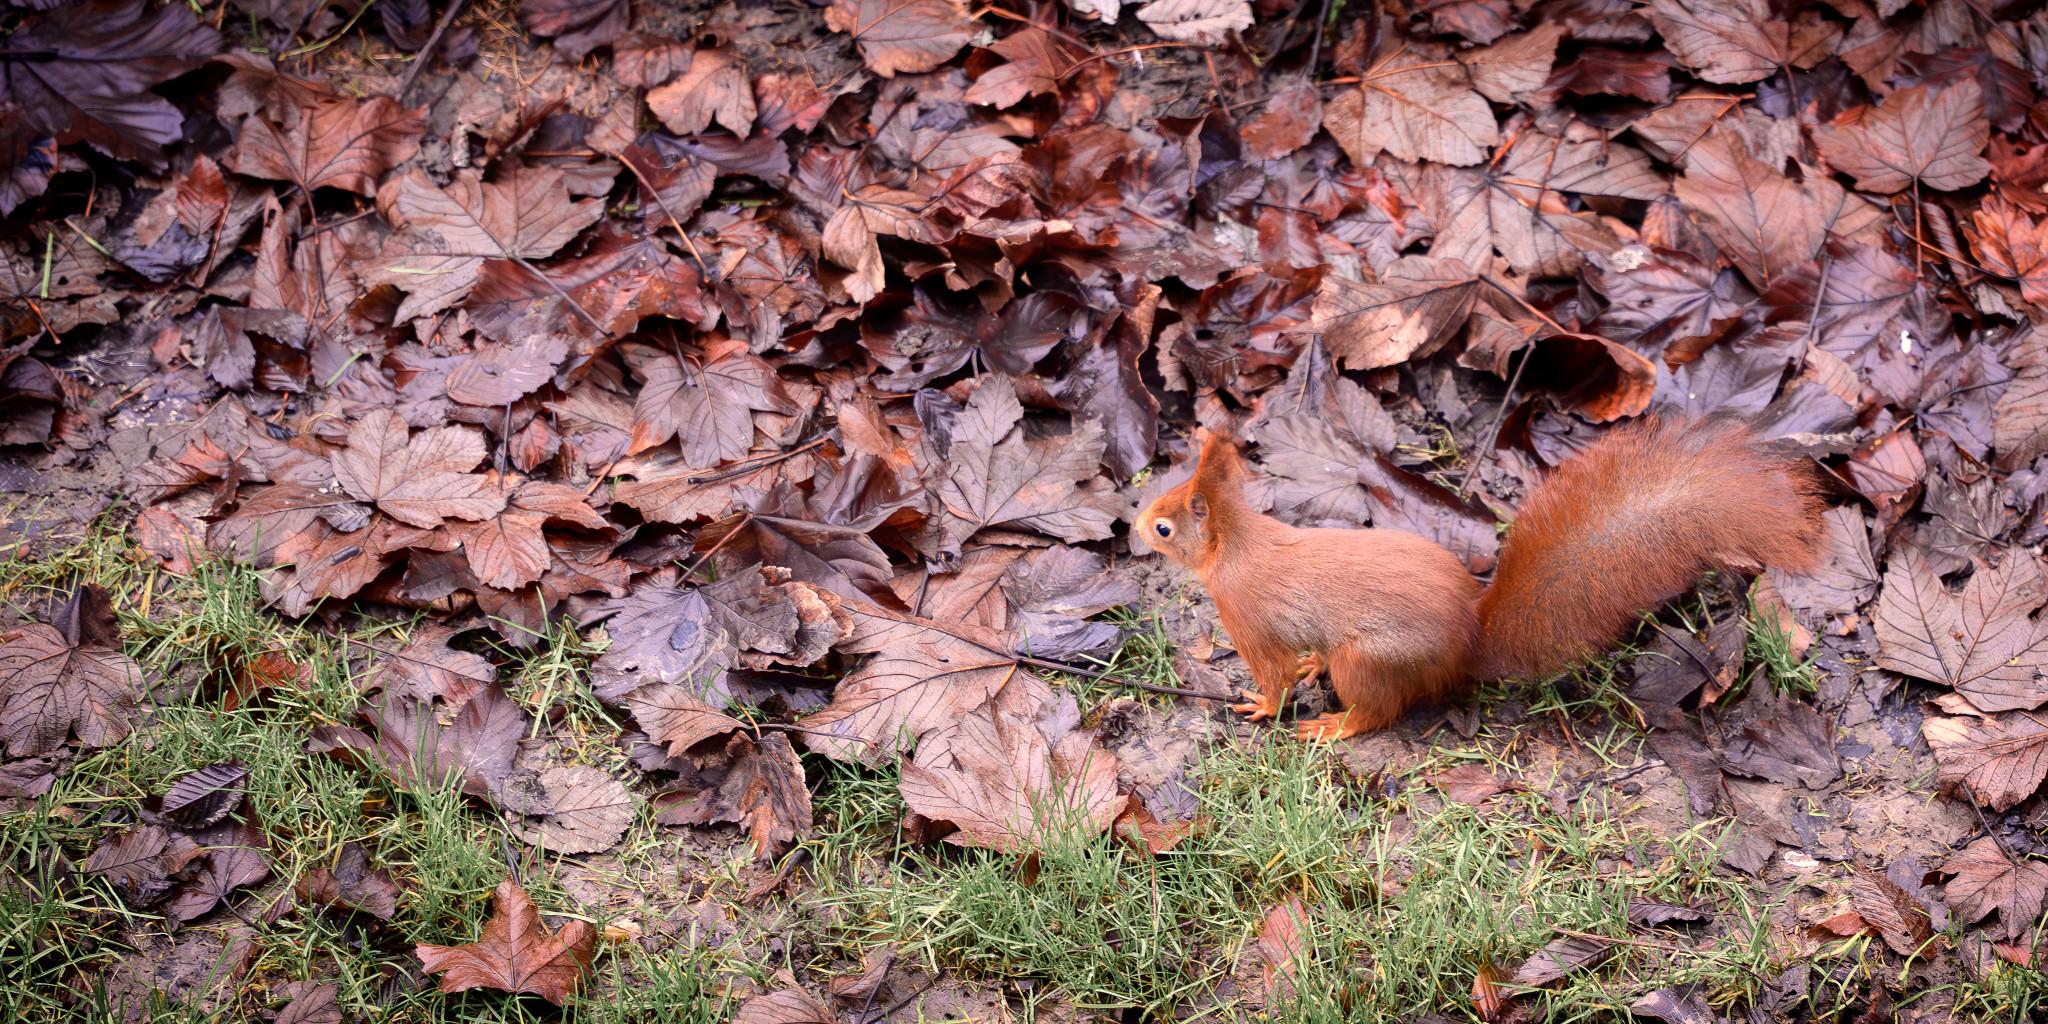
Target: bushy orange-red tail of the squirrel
[(1629, 525)]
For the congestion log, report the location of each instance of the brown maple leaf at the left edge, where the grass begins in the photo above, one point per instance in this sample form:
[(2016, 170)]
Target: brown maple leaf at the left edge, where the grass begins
[(69, 677)]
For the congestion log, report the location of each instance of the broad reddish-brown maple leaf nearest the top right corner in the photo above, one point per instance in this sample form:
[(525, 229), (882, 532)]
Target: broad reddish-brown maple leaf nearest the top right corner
[(1920, 136)]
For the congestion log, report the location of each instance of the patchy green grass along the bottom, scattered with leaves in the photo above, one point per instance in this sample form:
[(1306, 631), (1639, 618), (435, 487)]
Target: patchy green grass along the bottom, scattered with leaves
[(1408, 896)]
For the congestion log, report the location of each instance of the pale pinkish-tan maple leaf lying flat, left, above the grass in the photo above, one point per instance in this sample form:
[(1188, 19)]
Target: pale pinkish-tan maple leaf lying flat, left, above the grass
[(417, 480)]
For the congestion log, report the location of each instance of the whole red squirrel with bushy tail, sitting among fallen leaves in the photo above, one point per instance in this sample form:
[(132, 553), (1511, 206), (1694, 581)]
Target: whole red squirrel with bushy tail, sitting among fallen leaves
[(1398, 622)]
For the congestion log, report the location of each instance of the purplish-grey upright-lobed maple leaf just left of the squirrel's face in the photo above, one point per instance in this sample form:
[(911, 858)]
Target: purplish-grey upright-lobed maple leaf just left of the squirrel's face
[(996, 476)]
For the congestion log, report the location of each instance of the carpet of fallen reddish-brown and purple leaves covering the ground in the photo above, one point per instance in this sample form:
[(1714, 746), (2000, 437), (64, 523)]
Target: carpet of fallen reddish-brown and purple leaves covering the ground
[(816, 386)]
